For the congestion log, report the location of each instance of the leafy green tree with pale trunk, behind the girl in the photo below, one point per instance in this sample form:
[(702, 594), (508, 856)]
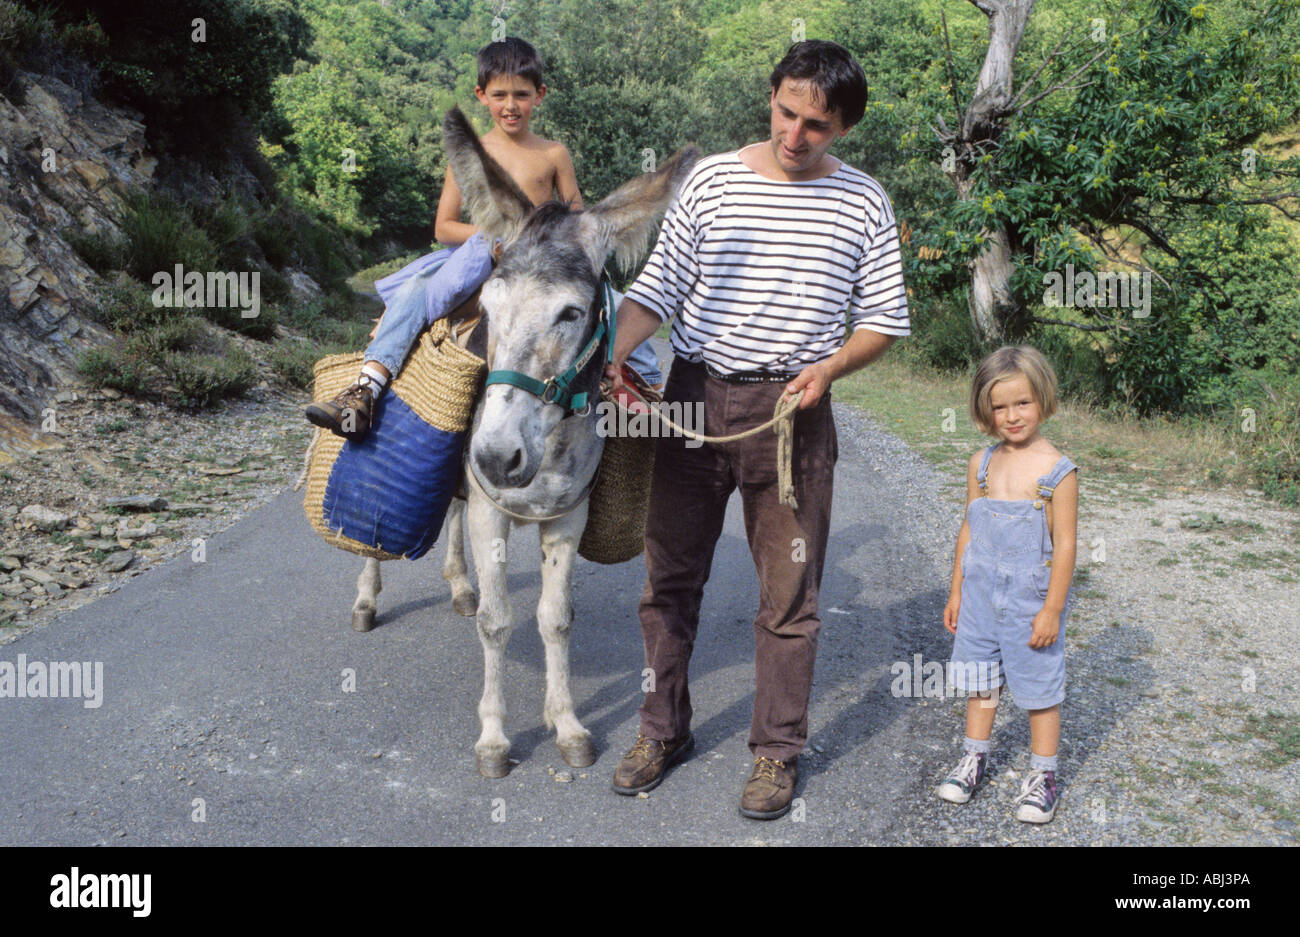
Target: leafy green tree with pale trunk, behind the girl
[(1155, 138)]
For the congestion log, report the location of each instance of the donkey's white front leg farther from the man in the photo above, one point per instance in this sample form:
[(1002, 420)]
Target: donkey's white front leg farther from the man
[(489, 530)]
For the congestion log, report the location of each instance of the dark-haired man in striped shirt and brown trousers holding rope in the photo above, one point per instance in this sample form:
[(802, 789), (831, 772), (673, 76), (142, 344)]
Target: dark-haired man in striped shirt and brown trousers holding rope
[(761, 258)]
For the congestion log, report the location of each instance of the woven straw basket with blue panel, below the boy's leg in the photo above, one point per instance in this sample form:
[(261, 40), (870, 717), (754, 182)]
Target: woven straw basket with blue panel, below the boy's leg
[(432, 402)]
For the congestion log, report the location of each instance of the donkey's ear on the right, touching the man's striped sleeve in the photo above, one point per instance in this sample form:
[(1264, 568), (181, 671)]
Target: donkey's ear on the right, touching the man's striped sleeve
[(626, 222)]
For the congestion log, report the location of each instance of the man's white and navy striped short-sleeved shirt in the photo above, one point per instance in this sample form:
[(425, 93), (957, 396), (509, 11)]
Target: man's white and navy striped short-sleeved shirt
[(764, 272)]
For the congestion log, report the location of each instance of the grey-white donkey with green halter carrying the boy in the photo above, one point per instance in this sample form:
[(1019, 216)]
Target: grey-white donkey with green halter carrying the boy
[(532, 459)]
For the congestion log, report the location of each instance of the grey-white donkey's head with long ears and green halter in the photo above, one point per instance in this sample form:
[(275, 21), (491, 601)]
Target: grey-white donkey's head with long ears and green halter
[(541, 302)]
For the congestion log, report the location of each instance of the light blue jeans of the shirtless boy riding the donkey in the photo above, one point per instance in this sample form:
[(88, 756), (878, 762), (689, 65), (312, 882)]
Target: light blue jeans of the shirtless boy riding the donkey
[(428, 289)]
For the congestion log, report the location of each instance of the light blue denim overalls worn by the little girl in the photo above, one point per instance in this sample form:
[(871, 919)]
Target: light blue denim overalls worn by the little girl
[(1006, 574)]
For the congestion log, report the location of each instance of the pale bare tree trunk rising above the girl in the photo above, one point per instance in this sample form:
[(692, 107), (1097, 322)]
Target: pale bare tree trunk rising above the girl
[(993, 302)]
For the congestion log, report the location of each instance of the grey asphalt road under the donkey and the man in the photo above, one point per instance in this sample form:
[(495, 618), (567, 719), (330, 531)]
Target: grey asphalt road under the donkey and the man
[(226, 719)]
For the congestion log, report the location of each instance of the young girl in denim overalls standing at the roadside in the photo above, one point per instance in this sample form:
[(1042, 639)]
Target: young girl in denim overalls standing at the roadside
[(1012, 575)]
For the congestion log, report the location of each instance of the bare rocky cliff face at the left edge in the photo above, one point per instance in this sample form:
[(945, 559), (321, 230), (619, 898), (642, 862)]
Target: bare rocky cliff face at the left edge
[(66, 162)]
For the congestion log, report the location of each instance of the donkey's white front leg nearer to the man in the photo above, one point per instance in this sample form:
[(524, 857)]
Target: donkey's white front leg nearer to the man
[(554, 622)]
